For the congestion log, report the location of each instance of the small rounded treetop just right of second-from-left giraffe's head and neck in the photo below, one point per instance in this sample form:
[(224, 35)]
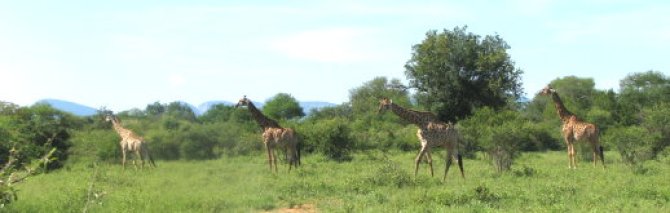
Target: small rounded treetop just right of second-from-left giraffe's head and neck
[(283, 106)]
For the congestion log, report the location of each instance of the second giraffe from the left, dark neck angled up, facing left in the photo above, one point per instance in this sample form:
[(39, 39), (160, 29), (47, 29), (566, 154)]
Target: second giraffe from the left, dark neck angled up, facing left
[(274, 136)]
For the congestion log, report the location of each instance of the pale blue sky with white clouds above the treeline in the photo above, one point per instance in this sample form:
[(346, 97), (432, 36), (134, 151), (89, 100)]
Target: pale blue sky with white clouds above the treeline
[(126, 54)]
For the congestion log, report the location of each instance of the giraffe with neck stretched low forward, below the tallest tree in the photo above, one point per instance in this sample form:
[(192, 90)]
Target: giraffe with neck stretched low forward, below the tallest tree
[(431, 133)]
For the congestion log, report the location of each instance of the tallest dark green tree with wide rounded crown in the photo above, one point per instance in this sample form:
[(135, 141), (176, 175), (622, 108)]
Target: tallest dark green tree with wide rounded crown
[(459, 71)]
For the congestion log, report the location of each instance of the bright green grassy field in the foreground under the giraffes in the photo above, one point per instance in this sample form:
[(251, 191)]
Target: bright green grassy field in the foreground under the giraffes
[(372, 182)]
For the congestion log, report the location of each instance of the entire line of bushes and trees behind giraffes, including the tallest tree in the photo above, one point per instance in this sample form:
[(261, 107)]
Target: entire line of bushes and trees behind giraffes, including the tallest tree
[(463, 78)]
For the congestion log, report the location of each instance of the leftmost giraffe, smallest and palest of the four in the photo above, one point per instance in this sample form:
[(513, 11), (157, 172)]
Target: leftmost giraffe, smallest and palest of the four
[(130, 142)]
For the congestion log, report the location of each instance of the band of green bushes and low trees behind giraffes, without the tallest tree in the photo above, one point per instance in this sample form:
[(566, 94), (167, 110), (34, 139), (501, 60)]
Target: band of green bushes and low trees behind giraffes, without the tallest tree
[(635, 121)]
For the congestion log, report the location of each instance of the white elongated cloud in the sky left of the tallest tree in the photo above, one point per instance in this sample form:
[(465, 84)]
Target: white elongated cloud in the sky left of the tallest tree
[(325, 45)]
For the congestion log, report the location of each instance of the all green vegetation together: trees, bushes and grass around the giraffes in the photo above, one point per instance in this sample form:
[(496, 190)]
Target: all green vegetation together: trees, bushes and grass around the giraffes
[(355, 159)]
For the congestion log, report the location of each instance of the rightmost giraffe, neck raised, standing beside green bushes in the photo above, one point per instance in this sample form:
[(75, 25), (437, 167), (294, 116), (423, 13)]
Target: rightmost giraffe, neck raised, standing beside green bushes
[(575, 129)]
